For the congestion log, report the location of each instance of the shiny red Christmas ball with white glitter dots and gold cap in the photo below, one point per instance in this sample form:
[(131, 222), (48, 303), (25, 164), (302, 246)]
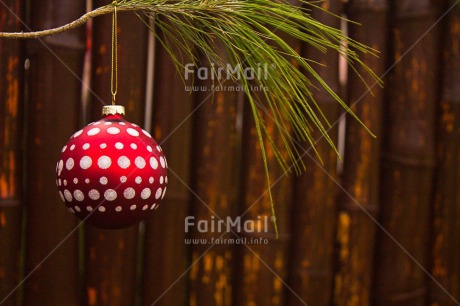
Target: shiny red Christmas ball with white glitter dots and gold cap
[(112, 173)]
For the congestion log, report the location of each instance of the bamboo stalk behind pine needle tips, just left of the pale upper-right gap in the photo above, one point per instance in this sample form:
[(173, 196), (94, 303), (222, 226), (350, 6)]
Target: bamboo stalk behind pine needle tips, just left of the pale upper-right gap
[(314, 210)]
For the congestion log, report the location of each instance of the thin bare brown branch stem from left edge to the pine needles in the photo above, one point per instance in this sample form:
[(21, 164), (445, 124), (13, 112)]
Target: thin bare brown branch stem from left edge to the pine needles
[(74, 24)]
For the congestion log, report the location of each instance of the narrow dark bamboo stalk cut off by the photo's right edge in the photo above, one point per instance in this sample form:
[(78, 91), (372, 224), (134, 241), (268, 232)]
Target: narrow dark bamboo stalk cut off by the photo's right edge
[(446, 256)]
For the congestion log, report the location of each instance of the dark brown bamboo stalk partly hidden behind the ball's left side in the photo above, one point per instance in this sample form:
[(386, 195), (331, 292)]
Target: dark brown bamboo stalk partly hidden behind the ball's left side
[(54, 96)]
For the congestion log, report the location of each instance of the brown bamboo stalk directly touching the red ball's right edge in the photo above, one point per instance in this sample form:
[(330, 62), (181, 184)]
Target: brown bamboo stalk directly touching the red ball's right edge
[(165, 250)]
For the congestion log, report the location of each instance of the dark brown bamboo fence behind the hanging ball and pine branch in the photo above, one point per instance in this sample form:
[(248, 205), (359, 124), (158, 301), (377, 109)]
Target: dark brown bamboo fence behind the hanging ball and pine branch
[(381, 227)]
